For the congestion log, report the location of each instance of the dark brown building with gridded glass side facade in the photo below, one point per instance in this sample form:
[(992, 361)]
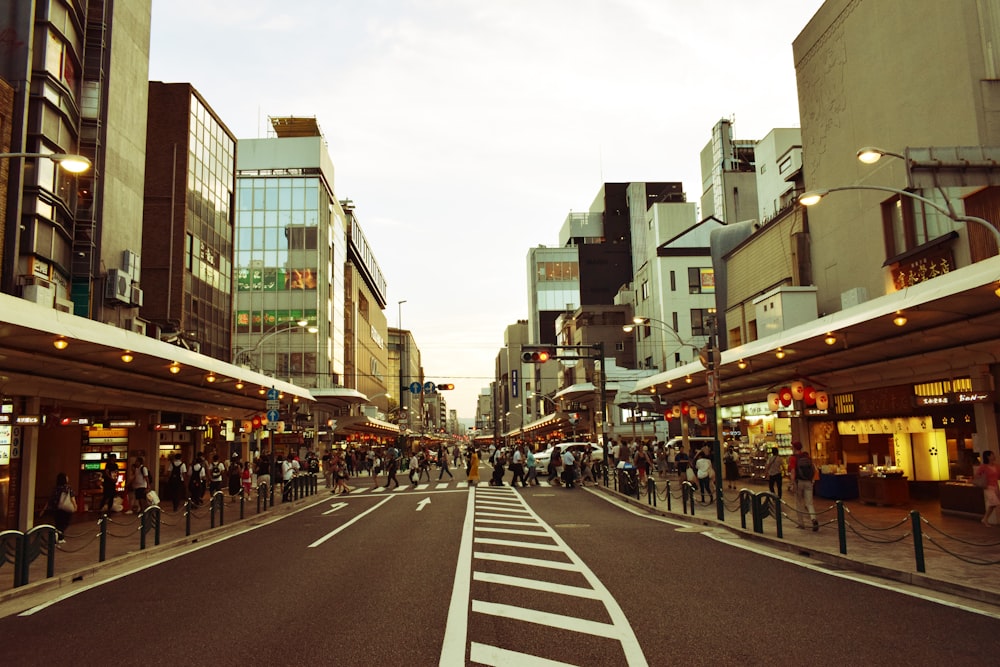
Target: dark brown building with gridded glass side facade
[(188, 217)]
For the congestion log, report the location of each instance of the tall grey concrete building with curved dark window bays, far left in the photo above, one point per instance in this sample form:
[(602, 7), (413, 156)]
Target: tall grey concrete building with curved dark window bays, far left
[(79, 73)]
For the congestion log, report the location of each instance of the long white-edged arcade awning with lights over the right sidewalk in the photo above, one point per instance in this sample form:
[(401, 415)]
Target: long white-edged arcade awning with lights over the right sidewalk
[(951, 325)]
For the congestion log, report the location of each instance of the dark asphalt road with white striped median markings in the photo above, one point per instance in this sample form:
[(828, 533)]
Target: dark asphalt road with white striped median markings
[(495, 577)]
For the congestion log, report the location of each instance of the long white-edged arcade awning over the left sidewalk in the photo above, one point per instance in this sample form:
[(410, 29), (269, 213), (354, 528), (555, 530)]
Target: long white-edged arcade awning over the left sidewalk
[(89, 371)]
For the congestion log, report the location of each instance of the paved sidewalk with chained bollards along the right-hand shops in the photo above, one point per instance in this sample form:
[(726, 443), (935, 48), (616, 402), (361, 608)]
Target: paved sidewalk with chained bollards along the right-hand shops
[(961, 555)]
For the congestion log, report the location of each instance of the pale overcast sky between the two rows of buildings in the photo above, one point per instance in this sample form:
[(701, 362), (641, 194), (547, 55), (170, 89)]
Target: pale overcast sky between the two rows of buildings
[(466, 131)]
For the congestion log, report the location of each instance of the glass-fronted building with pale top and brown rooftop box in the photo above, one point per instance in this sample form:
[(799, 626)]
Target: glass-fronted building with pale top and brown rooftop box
[(290, 257)]
